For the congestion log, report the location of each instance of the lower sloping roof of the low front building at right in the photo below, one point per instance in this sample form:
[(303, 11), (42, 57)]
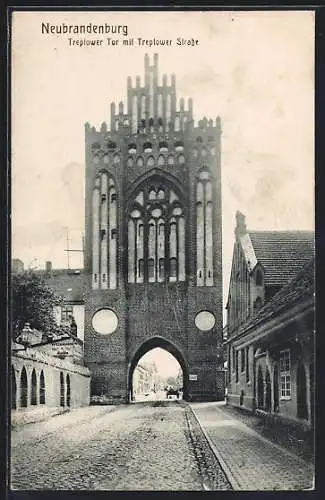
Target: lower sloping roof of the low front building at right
[(301, 287)]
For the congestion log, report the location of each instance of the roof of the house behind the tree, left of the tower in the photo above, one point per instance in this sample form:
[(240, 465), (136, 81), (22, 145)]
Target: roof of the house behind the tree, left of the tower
[(66, 283)]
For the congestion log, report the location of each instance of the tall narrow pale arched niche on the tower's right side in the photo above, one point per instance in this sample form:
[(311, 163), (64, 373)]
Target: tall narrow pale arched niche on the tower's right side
[(204, 228)]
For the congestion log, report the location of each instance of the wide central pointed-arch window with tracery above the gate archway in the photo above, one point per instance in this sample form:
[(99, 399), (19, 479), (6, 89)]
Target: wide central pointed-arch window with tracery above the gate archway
[(156, 241)]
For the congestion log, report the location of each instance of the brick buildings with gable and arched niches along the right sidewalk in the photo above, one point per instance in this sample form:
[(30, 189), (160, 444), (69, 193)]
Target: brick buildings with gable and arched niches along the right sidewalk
[(270, 346)]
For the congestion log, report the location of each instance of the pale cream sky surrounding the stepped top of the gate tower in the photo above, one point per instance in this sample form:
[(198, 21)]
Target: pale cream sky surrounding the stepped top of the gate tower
[(254, 69)]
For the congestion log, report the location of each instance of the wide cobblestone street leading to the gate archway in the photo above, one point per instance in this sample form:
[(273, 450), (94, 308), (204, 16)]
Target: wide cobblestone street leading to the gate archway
[(146, 446)]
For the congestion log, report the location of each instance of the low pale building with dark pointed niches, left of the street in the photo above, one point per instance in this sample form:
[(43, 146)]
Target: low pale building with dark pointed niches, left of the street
[(47, 379)]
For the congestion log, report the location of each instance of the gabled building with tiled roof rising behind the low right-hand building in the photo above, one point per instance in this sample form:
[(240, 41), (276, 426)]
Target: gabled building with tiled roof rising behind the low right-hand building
[(263, 262)]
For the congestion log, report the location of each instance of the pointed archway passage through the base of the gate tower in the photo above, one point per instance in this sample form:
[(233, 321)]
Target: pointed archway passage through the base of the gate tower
[(157, 372)]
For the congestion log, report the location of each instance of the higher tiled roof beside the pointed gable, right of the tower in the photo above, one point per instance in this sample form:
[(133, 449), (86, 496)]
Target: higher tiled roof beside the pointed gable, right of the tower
[(282, 253)]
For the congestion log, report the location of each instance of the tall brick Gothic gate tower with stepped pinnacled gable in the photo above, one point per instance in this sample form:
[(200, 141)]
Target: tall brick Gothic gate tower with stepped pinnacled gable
[(153, 241)]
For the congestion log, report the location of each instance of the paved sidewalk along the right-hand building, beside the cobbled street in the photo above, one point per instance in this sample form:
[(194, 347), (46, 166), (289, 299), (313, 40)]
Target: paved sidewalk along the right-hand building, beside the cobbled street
[(251, 462)]
